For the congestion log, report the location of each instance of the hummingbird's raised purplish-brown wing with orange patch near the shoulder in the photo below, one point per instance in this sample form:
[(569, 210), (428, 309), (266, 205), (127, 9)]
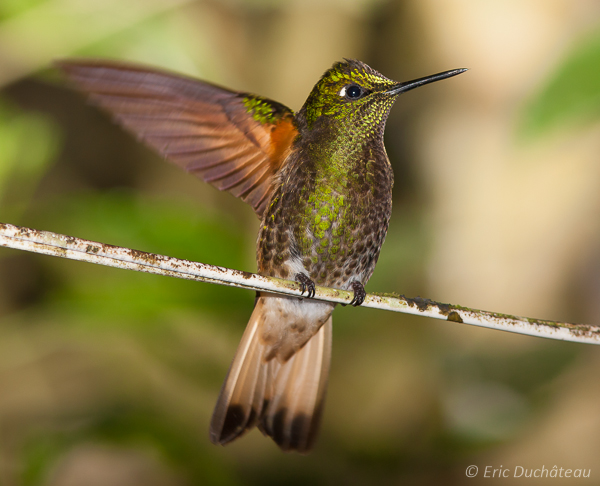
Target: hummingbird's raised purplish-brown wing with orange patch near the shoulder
[(234, 141)]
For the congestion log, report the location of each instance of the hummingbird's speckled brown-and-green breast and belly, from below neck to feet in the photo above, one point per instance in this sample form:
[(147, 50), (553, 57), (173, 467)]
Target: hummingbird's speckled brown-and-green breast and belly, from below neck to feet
[(328, 225)]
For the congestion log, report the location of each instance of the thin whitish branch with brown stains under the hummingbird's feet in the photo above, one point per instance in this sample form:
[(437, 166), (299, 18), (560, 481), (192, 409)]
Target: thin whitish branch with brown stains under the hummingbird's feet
[(113, 256)]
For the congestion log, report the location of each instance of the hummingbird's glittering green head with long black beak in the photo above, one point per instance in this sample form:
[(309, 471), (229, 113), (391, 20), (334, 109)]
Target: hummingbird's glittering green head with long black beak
[(353, 95)]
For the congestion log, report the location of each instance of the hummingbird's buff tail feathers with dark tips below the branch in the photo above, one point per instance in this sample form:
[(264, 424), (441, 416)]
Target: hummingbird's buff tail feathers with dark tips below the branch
[(285, 399)]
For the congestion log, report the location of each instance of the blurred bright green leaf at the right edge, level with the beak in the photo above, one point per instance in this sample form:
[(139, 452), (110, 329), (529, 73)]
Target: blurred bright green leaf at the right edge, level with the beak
[(571, 95)]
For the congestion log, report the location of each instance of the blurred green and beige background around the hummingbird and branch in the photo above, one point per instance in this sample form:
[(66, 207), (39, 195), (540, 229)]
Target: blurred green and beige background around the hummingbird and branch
[(108, 377)]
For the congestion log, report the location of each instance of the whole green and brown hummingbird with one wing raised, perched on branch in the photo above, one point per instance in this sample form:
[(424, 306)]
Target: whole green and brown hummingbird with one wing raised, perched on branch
[(320, 182)]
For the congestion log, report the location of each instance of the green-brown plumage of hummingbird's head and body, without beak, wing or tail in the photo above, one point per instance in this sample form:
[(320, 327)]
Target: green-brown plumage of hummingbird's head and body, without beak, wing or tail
[(332, 208)]
